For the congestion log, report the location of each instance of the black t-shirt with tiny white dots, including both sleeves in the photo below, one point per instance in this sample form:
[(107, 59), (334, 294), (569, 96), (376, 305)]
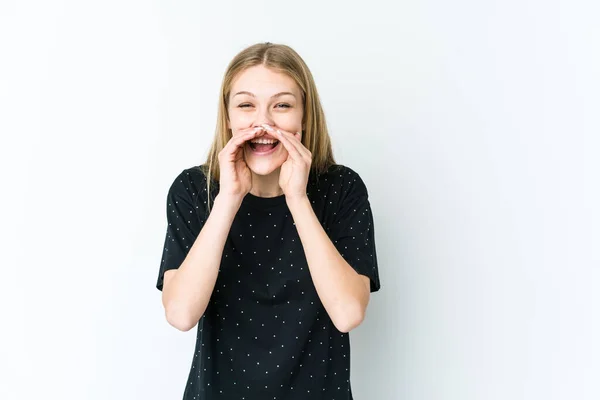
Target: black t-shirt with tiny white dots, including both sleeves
[(265, 334)]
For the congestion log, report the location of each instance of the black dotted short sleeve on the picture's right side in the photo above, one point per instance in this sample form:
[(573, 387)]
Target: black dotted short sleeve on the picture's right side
[(353, 231)]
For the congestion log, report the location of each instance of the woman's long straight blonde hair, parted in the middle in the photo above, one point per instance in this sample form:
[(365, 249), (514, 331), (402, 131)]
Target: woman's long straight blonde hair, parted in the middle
[(283, 59)]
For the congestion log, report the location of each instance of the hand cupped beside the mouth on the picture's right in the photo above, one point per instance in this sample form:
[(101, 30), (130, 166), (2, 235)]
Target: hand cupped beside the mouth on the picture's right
[(293, 177)]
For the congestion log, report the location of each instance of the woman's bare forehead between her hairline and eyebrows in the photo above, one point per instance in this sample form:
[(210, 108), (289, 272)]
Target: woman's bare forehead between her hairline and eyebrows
[(263, 81)]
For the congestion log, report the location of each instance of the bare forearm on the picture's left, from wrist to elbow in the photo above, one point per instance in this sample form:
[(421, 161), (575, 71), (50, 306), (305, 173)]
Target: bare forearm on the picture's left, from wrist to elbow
[(187, 295)]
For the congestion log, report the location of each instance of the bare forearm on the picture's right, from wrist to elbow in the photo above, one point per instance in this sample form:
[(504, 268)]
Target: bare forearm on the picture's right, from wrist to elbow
[(339, 287)]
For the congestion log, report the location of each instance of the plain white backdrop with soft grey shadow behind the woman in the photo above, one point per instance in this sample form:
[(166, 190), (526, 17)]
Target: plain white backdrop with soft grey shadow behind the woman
[(475, 125)]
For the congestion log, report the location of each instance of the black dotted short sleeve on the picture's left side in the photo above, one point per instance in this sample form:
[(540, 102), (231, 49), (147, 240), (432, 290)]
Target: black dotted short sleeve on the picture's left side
[(185, 218)]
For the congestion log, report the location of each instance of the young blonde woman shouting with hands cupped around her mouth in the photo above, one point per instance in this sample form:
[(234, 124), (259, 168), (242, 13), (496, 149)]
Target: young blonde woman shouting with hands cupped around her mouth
[(270, 245)]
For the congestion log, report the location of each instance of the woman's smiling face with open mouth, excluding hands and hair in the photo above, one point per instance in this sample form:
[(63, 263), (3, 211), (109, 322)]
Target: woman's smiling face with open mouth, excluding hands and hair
[(261, 96)]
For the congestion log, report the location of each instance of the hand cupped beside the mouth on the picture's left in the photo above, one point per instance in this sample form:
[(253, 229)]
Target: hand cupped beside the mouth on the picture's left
[(236, 179)]
